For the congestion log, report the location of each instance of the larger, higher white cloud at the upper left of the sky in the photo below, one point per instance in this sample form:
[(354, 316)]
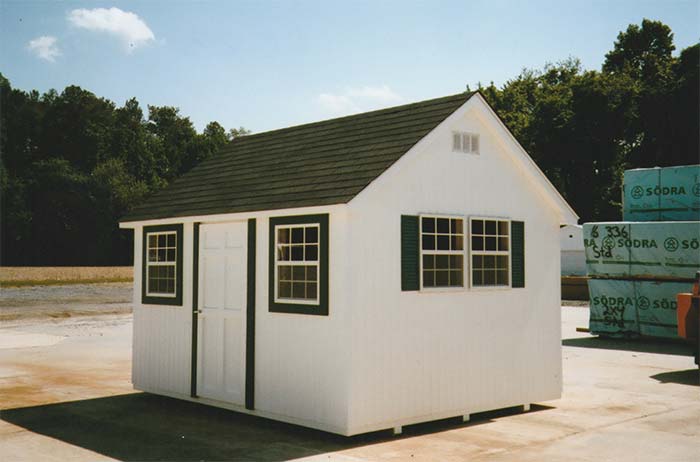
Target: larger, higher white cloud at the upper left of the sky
[(125, 25)]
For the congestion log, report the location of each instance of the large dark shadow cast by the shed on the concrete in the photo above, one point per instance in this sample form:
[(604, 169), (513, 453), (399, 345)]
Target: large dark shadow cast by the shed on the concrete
[(141, 426)]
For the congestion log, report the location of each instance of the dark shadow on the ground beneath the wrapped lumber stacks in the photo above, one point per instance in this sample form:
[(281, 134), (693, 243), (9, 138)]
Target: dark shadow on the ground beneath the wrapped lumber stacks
[(643, 345)]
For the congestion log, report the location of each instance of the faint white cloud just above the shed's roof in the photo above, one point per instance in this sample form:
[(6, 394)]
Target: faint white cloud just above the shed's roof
[(358, 99)]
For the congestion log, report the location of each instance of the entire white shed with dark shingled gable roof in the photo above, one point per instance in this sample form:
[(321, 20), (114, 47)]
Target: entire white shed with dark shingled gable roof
[(355, 274)]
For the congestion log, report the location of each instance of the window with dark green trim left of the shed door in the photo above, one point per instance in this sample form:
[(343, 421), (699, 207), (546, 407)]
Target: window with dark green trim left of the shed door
[(162, 265)]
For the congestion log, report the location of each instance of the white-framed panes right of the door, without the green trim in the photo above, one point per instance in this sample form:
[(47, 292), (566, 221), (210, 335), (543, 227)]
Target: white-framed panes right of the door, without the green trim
[(297, 262)]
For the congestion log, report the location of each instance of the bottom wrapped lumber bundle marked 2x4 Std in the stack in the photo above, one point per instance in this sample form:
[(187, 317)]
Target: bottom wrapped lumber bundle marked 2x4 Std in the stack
[(631, 308)]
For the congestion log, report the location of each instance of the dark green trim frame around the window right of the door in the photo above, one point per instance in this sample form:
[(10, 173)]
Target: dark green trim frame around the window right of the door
[(321, 306)]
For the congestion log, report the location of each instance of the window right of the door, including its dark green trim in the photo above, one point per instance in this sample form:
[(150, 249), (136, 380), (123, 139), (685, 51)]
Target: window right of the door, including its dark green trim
[(299, 264)]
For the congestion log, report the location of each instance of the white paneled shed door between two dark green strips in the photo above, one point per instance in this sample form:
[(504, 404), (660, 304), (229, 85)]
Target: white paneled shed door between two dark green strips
[(222, 301)]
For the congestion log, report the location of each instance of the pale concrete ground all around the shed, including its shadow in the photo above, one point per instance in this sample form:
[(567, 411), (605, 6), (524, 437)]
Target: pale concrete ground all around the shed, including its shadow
[(65, 395)]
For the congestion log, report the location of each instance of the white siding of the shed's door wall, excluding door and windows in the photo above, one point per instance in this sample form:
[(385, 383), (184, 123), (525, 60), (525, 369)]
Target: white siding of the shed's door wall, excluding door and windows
[(302, 362)]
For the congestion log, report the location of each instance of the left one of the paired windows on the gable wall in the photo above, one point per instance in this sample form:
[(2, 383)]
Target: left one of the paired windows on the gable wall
[(442, 251)]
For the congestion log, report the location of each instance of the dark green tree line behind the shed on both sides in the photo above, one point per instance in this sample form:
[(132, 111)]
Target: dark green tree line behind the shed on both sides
[(73, 163)]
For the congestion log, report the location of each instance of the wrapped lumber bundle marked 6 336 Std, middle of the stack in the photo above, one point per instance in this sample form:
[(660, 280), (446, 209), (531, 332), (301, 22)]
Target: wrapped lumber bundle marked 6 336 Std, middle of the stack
[(664, 250)]
